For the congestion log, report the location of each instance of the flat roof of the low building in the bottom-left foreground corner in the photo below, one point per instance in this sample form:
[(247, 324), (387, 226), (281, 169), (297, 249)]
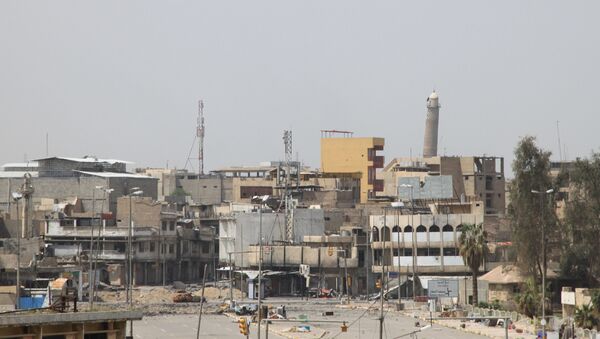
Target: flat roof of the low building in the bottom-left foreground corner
[(28, 319)]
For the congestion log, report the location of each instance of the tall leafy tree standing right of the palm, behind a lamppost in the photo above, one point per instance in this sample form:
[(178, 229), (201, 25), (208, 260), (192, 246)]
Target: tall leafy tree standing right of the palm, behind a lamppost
[(529, 212)]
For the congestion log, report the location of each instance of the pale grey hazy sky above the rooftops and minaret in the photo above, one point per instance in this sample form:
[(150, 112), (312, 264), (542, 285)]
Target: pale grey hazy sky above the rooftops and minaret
[(121, 79)]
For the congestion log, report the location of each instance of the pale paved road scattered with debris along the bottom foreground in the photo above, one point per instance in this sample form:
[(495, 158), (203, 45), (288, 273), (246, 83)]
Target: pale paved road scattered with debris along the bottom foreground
[(221, 326)]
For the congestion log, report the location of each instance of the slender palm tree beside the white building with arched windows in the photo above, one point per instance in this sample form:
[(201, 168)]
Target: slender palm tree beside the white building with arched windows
[(473, 248)]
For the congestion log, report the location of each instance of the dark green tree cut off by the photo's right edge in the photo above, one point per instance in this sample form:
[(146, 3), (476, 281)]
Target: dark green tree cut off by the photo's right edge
[(582, 218)]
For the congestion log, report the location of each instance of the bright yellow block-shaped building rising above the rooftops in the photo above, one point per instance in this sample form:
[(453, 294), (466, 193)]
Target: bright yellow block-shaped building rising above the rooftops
[(342, 154)]
